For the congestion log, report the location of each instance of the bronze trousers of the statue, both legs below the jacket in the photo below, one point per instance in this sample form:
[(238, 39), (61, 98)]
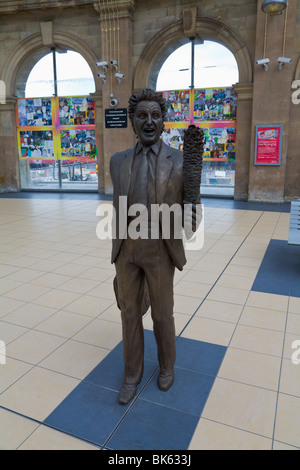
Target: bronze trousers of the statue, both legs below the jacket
[(139, 259)]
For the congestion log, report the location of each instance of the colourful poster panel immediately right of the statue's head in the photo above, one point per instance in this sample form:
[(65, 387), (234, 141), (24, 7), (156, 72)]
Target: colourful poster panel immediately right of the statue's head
[(178, 105)]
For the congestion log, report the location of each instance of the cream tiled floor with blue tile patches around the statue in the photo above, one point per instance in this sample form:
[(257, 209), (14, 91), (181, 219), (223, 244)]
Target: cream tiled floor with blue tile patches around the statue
[(237, 311)]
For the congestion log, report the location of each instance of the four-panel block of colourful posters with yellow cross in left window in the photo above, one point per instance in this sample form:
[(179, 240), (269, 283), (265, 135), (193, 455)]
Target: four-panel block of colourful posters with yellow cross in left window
[(57, 128)]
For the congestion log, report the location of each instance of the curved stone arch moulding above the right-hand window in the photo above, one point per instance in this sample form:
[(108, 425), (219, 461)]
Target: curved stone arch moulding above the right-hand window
[(171, 37)]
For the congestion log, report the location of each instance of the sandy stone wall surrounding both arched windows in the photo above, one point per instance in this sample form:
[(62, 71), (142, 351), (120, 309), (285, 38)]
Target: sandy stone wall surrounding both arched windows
[(149, 31)]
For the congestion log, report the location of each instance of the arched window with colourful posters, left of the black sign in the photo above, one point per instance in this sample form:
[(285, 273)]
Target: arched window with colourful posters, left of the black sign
[(57, 125)]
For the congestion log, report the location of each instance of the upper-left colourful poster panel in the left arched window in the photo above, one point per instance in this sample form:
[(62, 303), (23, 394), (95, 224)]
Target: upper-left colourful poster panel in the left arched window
[(35, 112)]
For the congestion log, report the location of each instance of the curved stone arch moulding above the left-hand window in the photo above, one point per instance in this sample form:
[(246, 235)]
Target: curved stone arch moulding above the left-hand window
[(31, 50)]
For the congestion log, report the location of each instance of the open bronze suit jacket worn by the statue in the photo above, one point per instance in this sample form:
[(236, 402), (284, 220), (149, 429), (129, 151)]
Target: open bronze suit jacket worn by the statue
[(169, 190)]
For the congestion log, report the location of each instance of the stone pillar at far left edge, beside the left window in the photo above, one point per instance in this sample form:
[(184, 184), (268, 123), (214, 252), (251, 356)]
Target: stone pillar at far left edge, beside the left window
[(9, 160)]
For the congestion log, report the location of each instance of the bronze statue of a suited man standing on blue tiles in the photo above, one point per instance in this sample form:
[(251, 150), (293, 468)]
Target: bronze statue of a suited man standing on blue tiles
[(149, 173)]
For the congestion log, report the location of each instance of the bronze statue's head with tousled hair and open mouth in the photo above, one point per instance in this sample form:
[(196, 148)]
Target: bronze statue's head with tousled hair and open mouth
[(147, 111)]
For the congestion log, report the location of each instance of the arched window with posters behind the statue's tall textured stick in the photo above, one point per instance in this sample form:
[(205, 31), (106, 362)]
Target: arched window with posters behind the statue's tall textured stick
[(196, 81)]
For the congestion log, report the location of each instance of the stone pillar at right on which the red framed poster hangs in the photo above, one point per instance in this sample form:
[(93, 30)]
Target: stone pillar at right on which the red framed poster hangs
[(271, 99)]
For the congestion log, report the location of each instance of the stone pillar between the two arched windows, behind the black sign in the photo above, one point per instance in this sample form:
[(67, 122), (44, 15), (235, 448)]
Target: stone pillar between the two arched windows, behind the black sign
[(116, 30)]
